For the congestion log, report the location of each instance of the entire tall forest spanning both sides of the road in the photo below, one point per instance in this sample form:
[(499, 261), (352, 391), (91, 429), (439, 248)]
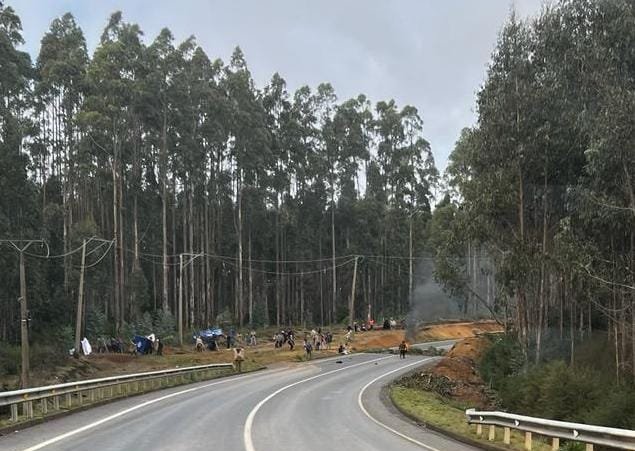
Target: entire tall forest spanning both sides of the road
[(183, 182)]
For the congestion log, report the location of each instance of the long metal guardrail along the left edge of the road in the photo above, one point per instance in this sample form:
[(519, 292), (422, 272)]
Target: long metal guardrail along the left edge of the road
[(78, 393)]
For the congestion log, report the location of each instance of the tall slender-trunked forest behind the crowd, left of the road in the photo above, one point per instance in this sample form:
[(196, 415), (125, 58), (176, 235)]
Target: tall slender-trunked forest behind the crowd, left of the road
[(171, 178)]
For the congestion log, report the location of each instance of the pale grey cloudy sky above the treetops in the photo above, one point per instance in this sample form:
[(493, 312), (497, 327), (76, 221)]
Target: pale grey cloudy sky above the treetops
[(428, 53)]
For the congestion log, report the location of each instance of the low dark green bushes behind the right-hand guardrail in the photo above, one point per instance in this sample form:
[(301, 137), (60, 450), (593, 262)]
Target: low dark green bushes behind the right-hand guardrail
[(584, 392)]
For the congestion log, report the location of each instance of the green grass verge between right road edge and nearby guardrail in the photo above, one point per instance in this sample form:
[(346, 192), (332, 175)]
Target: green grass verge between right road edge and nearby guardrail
[(429, 408)]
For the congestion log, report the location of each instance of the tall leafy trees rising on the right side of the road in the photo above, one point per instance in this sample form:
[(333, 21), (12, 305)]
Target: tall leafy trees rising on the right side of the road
[(543, 184)]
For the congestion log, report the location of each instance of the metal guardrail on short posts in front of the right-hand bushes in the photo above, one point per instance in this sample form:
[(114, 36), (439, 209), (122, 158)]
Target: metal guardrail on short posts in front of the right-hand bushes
[(556, 430)]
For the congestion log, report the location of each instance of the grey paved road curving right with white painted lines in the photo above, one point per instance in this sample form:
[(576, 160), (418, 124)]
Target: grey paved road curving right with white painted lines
[(324, 405)]
